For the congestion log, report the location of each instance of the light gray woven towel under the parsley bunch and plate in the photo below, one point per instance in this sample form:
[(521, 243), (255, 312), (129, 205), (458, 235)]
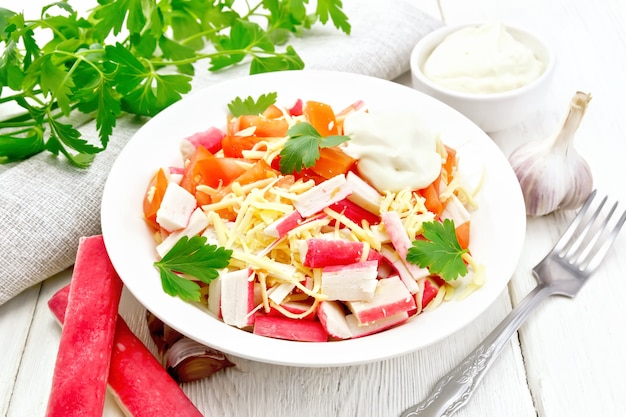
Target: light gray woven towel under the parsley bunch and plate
[(46, 205)]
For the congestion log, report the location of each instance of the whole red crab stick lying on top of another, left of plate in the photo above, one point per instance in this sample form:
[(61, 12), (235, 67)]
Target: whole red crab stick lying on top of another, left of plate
[(82, 364)]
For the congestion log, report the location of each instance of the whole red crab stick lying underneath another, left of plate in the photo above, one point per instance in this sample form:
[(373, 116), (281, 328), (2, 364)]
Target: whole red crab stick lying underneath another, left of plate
[(138, 382)]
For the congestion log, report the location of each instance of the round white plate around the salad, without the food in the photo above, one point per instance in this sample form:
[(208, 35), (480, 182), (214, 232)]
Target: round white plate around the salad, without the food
[(498, 226)]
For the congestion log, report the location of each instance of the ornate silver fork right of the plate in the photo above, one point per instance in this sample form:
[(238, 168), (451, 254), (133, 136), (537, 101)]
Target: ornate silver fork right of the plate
[(563, 271)]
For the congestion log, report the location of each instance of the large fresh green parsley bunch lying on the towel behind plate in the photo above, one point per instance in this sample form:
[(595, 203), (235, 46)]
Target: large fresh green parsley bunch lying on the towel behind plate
[(131, 56)]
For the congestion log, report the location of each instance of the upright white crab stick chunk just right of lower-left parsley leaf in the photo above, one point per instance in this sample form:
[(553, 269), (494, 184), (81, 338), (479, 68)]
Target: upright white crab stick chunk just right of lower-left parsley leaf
[(237, 297)]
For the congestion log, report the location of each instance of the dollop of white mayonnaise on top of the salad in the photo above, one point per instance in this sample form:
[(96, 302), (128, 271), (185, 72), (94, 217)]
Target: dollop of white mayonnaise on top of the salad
[(395, 150)]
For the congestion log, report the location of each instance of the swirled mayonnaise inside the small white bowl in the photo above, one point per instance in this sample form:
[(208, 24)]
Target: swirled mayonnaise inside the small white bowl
[(482, 59)]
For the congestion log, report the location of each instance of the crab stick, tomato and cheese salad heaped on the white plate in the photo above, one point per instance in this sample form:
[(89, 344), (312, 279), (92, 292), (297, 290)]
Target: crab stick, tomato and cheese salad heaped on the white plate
[(275, 223)]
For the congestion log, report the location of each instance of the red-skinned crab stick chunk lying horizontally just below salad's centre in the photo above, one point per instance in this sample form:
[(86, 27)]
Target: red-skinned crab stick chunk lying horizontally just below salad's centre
[(320, 252)]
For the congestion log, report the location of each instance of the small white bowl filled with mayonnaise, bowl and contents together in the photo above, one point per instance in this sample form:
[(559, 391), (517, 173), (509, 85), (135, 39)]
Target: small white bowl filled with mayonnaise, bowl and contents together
[(495, 75)]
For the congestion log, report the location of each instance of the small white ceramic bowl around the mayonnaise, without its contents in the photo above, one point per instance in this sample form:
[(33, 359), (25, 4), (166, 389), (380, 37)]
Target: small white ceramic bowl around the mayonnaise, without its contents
[(490, 111)]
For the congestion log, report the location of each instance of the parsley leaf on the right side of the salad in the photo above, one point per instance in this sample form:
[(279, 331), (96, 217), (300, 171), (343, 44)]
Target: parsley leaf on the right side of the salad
[(441, 252)]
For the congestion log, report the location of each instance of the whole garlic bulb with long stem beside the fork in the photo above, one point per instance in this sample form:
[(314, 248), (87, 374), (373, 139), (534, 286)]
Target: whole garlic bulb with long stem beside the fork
[(551, 173)]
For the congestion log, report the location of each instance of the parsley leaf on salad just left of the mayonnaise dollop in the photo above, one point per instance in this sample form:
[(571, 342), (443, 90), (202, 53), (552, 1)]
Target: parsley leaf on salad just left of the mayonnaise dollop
[(302, 149)]
